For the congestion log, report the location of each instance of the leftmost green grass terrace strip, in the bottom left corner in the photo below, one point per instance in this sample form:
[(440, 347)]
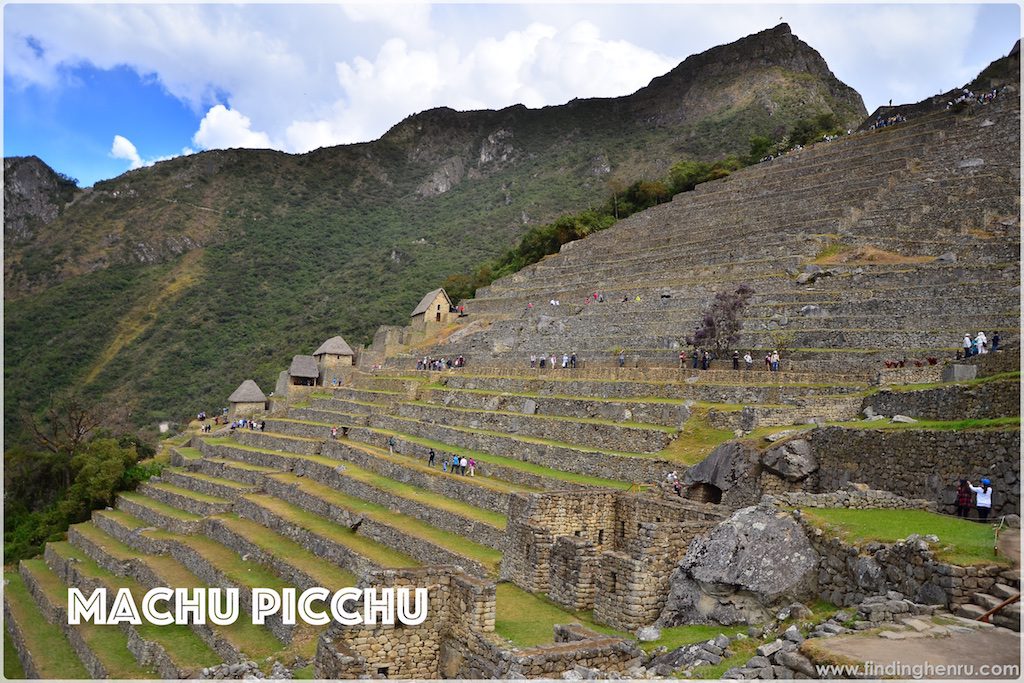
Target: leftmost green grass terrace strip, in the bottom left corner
[(54, 655)]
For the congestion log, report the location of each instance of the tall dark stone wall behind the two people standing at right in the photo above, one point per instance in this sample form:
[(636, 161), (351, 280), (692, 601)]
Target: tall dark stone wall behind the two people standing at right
[(921, 463)]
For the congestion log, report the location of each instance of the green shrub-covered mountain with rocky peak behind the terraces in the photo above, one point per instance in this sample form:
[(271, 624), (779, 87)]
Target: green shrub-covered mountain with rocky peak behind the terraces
[(165, 287)]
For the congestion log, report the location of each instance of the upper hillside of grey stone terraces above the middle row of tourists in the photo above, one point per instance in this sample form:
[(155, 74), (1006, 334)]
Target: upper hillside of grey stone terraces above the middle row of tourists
[(933, 206)]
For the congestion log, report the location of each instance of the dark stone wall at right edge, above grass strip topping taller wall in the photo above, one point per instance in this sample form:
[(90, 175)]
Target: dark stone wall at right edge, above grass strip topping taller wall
[(957, 402)]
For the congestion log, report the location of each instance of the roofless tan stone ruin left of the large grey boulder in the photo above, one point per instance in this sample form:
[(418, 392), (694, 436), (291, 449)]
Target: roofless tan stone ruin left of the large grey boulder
[(607, 551)]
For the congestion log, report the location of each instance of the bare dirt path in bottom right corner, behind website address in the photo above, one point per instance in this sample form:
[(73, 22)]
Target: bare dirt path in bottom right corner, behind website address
[(984, 648)]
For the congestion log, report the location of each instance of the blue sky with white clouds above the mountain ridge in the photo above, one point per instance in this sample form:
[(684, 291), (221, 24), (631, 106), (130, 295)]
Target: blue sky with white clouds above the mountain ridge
[(96, 91)]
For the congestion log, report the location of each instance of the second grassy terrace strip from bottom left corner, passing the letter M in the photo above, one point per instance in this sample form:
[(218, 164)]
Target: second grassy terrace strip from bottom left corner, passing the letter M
[(103, 650)]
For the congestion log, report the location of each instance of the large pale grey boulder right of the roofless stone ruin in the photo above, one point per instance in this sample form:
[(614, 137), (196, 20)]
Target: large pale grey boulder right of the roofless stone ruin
[(748, 567)]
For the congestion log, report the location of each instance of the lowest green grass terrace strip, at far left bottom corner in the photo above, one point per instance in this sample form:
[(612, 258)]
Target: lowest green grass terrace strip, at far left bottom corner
[(42, 648)]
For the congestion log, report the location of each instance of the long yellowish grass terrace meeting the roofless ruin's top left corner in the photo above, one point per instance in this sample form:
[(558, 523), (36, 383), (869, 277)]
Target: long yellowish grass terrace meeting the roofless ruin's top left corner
[(456, 517)]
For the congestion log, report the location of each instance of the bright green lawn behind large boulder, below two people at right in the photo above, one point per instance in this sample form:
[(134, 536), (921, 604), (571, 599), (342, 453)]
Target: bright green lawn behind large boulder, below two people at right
[(961, 542)]
